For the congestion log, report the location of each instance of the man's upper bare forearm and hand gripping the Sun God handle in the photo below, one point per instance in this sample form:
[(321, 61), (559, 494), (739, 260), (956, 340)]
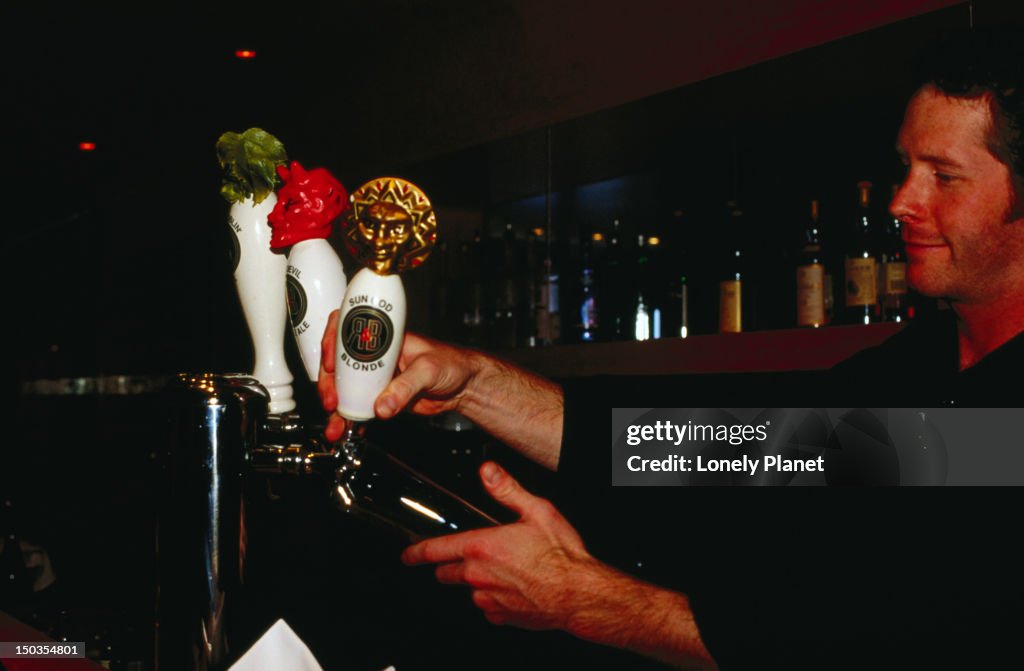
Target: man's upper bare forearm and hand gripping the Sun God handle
[(521, 409)]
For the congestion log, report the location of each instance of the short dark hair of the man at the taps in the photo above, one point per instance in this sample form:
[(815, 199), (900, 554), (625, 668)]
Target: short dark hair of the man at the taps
[(987, 63)]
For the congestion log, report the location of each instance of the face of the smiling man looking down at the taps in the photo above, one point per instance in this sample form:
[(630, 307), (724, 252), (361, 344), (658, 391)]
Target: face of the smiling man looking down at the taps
[(962, 241)]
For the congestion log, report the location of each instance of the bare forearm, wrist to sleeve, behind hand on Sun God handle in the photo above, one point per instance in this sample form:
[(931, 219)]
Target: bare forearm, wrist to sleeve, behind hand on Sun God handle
[(522, 409)]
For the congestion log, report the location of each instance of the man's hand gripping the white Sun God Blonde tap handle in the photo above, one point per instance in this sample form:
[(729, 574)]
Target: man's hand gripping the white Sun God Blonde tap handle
[(433, 378)]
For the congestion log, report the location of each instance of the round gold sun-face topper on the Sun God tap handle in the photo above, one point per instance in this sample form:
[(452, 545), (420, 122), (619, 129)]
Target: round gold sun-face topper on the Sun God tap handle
[(392, 227)]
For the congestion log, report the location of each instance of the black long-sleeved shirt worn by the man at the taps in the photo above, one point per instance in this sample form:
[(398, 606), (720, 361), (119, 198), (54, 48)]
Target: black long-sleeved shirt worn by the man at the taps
[(833, 578)]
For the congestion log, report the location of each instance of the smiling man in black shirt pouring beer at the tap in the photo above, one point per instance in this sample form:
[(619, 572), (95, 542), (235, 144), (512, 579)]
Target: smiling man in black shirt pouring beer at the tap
[(841, 588)]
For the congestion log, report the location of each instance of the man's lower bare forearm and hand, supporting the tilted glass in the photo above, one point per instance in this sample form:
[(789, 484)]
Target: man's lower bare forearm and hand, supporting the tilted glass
[(537, 574)]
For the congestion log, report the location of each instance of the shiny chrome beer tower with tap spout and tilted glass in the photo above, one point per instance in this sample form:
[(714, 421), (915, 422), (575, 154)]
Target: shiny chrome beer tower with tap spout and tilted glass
[(222, 438)]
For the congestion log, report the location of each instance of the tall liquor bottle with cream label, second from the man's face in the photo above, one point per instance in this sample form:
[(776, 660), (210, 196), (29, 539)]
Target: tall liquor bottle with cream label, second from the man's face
[(863, 265)]
